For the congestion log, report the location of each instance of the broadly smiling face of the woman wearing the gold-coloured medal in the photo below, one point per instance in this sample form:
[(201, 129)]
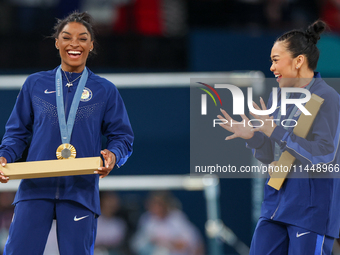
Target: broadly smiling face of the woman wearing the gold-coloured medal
[(74, 43)]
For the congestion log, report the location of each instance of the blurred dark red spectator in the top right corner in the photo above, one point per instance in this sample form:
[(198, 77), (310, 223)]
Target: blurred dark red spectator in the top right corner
[(331, 14)]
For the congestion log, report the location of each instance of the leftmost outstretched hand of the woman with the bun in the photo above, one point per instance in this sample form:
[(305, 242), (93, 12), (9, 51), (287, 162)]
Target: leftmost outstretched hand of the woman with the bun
[(239, 129)]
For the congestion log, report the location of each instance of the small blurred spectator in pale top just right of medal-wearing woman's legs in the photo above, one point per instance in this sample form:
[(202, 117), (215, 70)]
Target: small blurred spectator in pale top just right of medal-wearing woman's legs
[(111, 229)]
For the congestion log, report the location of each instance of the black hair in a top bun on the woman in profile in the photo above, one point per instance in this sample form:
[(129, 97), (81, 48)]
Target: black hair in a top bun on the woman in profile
[(299, 42)]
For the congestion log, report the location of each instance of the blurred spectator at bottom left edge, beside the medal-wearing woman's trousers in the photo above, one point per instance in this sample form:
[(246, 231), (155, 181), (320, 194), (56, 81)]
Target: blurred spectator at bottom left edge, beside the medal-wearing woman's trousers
[(6, 214)]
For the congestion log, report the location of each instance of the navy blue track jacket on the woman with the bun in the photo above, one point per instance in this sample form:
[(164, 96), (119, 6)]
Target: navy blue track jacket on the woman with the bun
[(312, 203)]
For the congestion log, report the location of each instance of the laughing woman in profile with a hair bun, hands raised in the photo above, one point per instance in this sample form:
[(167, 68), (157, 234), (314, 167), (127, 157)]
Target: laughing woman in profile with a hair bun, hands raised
[(301, 217)]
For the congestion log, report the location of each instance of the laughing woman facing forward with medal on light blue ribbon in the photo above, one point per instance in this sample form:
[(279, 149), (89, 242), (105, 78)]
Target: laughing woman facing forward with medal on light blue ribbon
[(65, 111)]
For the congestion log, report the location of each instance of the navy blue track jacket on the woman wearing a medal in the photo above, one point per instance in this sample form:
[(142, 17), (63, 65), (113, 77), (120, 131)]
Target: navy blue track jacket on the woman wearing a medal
[(101, 111)]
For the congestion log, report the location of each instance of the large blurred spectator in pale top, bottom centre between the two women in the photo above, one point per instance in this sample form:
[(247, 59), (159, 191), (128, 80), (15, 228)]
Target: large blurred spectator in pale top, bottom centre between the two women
[(164, 229)]
